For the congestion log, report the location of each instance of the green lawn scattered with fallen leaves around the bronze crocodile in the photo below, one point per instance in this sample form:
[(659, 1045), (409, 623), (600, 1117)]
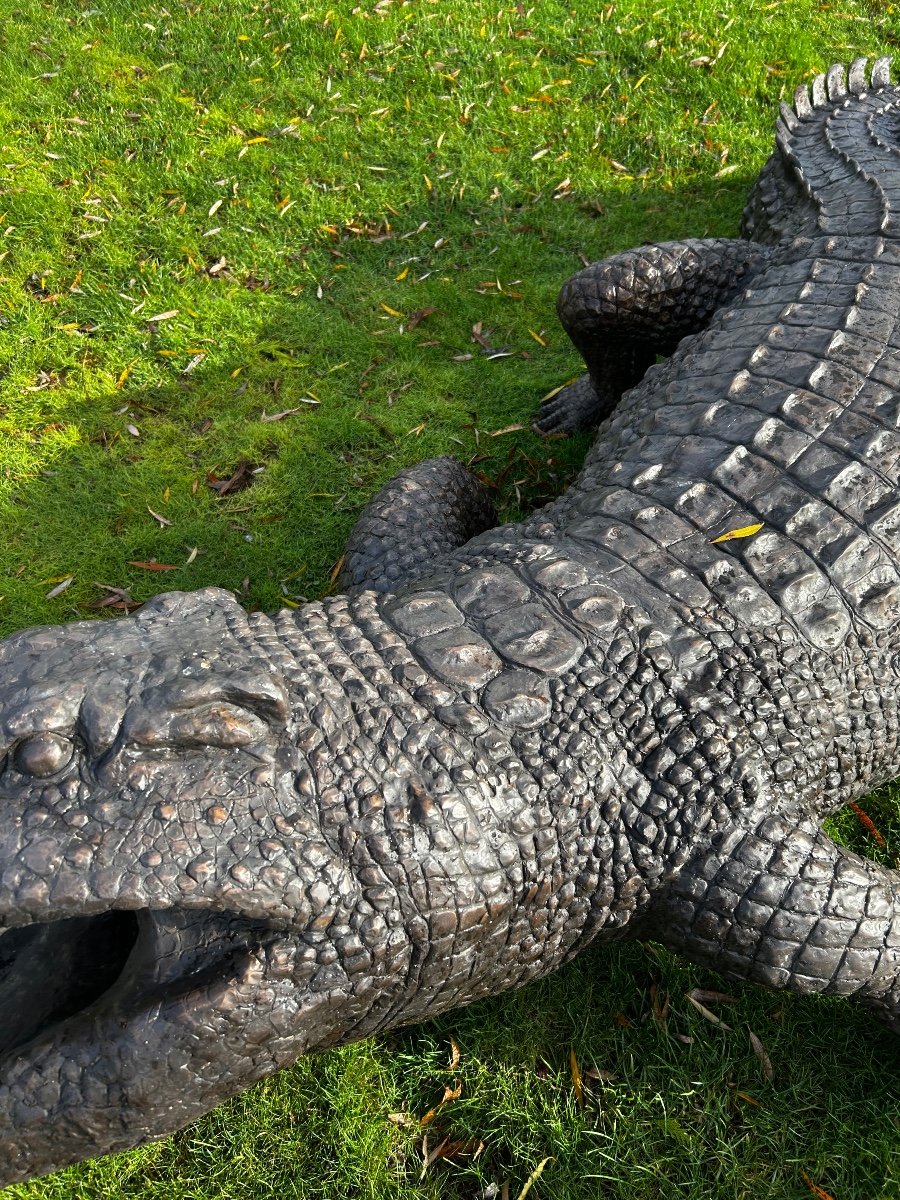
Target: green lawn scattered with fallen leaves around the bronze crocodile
[(345, 164)]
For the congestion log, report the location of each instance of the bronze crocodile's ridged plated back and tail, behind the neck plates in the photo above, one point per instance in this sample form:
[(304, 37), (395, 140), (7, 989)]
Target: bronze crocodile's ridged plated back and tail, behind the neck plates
[(785, 412)]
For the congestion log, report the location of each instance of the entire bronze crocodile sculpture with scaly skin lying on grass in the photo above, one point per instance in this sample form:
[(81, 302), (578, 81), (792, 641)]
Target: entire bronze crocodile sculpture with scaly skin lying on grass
[(236, 839)]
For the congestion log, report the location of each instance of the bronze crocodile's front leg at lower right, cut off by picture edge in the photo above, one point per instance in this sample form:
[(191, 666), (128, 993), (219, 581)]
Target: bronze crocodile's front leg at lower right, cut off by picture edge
[(784, 907)]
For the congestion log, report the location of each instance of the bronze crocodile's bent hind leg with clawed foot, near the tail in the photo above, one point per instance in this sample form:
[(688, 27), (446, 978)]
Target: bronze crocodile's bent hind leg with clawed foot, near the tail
[(626, 310)]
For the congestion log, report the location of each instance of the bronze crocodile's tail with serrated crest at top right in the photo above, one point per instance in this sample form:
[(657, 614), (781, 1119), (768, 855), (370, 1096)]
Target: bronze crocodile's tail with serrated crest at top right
[(835, 170)]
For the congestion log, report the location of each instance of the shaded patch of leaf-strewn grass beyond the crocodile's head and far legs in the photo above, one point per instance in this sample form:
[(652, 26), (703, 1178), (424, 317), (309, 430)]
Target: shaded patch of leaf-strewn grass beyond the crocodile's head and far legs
[(93, 470)]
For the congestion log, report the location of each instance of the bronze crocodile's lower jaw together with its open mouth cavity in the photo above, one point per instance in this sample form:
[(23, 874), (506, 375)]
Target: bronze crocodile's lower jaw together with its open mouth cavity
[(122, 1027)]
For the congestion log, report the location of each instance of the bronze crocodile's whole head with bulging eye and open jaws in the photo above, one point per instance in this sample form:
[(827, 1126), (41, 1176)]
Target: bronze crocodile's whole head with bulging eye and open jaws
[(160, 883)]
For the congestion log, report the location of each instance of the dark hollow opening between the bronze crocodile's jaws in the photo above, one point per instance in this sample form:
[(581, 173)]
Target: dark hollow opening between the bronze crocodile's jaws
[(55, 971)]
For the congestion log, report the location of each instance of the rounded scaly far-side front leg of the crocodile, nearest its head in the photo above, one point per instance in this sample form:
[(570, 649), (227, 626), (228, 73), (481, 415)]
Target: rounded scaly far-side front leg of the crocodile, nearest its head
[(423, 513)]
